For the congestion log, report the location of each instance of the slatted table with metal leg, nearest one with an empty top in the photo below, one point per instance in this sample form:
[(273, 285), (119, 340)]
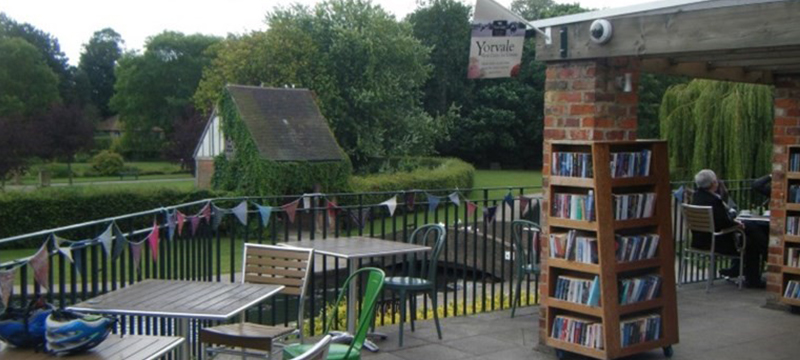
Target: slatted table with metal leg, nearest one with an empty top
[(179, 299)]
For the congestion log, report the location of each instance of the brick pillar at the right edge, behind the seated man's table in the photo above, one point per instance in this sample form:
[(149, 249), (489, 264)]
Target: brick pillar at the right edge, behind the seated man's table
[(785, 131)]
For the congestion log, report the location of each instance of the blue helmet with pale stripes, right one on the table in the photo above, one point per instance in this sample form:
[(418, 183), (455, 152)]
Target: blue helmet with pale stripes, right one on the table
[(70, 332)]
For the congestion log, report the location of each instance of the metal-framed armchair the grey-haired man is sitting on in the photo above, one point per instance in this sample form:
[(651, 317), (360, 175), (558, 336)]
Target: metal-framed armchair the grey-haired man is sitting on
[(701, 219)]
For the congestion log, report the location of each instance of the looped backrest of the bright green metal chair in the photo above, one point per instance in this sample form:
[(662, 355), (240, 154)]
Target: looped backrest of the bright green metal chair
[(373, 287)]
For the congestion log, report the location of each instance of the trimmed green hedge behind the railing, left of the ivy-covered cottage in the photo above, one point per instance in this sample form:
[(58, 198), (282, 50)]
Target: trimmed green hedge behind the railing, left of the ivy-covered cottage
[(24, 213)]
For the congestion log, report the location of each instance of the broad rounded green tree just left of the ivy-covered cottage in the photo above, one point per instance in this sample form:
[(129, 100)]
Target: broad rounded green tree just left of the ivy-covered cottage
[(152, 90)]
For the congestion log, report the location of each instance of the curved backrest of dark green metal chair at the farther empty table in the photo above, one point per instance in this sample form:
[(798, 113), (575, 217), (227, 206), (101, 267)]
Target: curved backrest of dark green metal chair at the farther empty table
[(433, 235)]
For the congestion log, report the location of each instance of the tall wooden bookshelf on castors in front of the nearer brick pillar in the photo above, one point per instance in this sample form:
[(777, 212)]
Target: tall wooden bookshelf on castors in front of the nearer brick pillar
[(605, 227)]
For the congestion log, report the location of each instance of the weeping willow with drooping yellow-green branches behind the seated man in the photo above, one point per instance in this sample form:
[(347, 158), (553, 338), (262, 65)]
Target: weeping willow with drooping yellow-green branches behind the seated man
[(723, 126)]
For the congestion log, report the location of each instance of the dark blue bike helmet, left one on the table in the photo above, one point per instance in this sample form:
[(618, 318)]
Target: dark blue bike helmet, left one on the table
[(25, 328)]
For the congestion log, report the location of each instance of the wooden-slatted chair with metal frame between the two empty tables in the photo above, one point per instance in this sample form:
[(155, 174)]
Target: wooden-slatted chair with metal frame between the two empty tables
[(264, 264)]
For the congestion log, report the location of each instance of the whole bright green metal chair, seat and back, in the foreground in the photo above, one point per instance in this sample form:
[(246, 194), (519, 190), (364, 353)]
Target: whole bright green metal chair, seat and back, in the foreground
[(373, 286)]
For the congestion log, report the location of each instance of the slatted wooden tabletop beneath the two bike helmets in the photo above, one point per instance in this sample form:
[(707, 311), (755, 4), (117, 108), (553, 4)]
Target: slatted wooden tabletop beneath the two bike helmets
[(130, 347)]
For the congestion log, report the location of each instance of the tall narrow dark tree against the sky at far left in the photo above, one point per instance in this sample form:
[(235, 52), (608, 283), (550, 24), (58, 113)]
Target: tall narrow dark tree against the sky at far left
[(97, 62)]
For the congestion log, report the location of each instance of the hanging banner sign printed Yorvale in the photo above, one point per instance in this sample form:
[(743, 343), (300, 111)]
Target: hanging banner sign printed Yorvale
[(496, 45)]
